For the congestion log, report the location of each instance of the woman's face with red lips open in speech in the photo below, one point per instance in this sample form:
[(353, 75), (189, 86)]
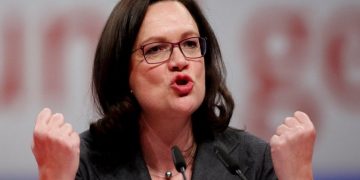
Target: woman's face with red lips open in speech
[(175, 87)]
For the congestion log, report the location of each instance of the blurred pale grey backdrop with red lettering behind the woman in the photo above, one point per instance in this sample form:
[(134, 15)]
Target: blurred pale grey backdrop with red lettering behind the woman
[(281, 56)]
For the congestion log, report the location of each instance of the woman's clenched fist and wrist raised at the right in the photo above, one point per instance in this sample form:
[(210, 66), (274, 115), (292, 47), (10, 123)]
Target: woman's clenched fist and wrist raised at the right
[(292, 147)]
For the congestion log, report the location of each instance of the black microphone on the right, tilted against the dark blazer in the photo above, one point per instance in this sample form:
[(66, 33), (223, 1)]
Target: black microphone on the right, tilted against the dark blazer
[(230, 165)]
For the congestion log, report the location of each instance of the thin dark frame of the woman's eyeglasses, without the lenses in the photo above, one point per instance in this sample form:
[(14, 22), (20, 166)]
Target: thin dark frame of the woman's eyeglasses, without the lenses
[(173, 45)]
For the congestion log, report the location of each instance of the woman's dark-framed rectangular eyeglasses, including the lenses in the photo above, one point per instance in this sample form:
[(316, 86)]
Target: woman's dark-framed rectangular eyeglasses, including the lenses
[(158, 52)]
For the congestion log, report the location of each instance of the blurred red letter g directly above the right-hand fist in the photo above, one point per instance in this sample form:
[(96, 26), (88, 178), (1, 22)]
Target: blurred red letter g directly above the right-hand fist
[(277, 46)]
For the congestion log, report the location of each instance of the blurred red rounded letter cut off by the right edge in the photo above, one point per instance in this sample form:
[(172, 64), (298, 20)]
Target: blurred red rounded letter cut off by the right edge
[(342, 57)]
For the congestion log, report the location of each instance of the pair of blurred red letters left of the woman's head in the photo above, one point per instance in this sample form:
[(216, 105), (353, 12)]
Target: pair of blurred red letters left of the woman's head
[(62, 28)]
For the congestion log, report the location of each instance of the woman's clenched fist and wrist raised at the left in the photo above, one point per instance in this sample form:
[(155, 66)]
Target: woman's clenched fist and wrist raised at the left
[(56, 147)]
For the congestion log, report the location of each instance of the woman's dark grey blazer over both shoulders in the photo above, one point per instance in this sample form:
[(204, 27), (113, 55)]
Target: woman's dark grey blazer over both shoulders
[(251, 154)]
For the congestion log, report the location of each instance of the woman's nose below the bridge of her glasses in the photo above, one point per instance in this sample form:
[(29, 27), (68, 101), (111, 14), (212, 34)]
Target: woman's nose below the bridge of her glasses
[(177, 60)]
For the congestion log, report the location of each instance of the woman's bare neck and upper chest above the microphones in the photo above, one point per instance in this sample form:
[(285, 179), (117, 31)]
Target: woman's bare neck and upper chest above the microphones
[(157, 139)]
